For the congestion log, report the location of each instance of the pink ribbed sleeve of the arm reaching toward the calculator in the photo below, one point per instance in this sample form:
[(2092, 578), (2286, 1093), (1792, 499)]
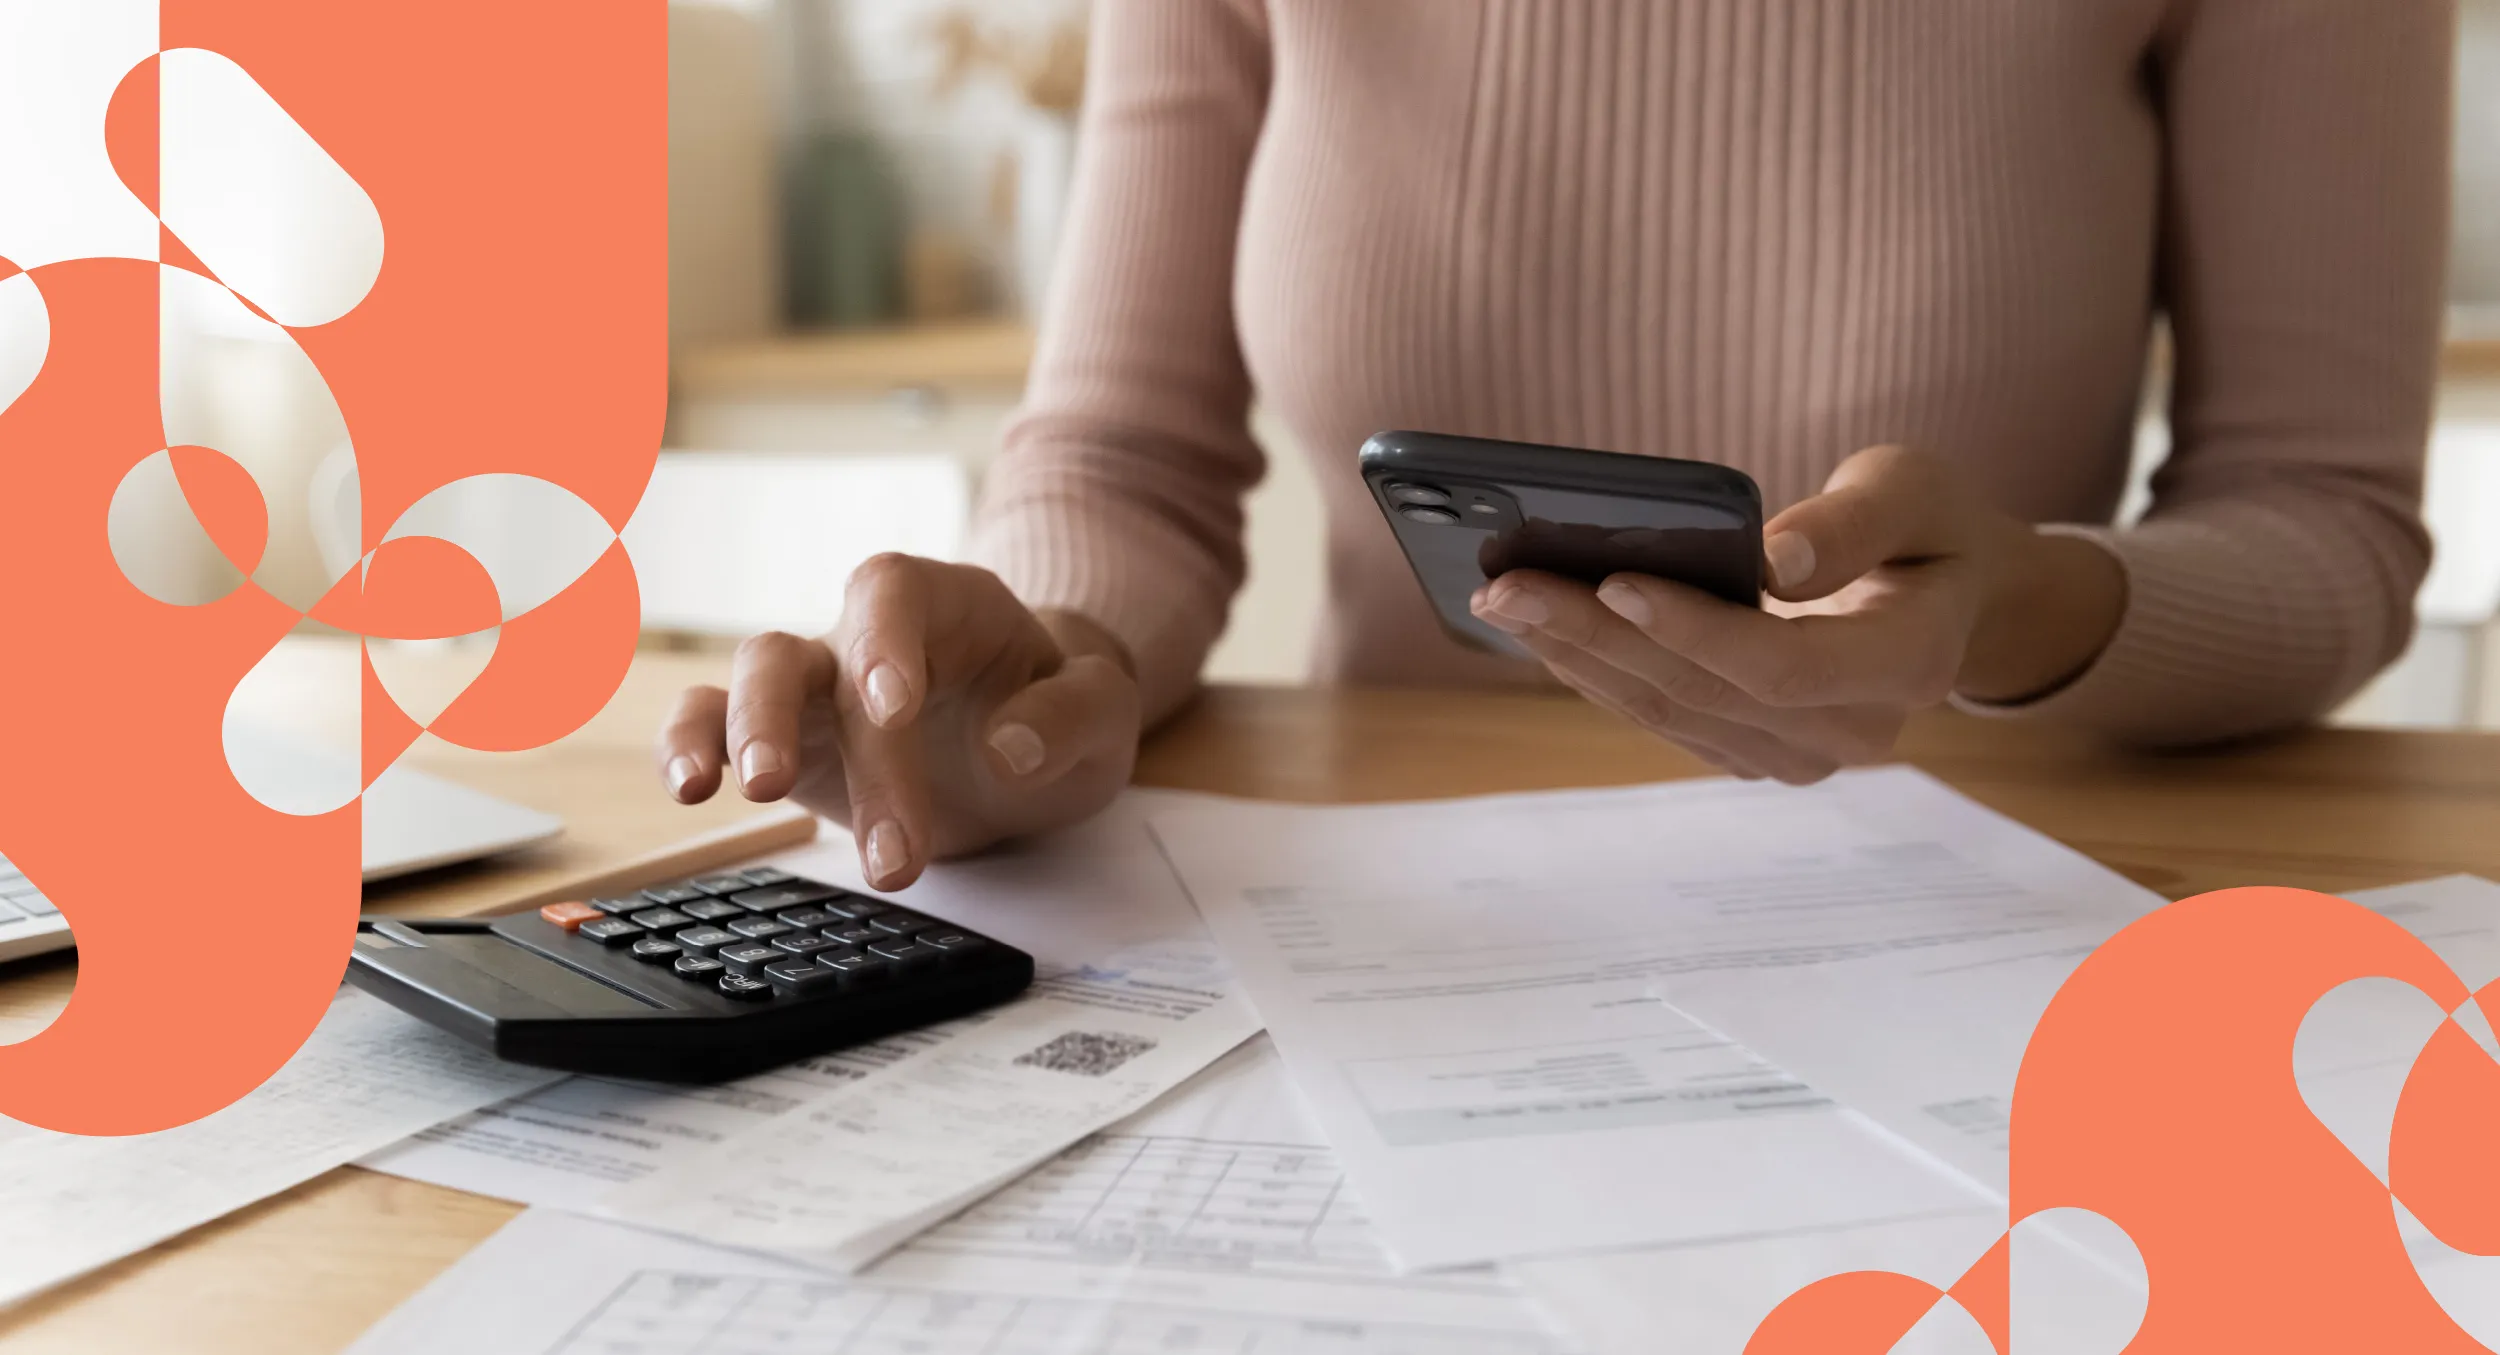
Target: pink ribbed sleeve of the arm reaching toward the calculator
[(1121, 484)]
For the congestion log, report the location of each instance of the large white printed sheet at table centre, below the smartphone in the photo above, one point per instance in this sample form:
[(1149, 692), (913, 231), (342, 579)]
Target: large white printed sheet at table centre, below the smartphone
[(1466, 994)]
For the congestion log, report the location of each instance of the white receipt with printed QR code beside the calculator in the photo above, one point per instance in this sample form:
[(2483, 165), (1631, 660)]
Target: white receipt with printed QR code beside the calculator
[(866, 1166)]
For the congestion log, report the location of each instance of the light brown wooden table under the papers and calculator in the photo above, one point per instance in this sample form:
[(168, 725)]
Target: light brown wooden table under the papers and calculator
[(316, 1266)]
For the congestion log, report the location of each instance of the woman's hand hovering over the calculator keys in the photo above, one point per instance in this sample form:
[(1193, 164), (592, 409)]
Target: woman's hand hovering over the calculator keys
[(939, 719)]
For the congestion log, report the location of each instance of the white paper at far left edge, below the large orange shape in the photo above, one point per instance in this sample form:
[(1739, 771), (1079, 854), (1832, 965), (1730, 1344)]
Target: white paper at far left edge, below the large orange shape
[(369, 1076)]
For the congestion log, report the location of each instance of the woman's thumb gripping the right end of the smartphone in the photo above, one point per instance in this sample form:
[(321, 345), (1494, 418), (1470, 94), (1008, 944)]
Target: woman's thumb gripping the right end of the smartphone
[(1884, 504)]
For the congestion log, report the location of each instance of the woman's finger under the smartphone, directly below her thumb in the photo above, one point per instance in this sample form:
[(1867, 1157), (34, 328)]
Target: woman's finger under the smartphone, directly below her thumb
[(1901, 651)]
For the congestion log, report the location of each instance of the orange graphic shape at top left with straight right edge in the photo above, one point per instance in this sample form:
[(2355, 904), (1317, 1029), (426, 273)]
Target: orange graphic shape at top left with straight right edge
[(521, 316)]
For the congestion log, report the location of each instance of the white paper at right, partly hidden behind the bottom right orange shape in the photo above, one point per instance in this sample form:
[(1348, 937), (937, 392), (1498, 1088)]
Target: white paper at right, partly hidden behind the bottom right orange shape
[(1929, 1041)]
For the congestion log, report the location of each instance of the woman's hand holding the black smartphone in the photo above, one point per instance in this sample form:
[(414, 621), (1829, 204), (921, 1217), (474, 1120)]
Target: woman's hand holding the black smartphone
[(1904, 589)]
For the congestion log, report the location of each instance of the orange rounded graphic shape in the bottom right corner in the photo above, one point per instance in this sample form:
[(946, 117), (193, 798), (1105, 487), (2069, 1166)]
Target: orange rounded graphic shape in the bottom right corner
[(2159, 1091)]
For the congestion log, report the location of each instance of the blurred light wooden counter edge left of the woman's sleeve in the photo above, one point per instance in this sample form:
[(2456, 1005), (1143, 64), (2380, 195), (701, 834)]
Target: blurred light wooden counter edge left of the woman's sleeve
[(974, 356)]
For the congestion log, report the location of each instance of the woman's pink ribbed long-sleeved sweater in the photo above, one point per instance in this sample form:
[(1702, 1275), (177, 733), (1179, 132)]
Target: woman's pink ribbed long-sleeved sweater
[(1764, 234)]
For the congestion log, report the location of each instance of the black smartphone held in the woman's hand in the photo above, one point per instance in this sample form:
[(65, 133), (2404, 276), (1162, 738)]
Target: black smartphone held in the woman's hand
[(1474, 509)]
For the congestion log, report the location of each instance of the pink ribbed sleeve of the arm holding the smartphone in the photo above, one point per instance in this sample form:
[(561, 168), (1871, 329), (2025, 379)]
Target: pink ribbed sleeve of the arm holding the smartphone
[(2301, 271)]
